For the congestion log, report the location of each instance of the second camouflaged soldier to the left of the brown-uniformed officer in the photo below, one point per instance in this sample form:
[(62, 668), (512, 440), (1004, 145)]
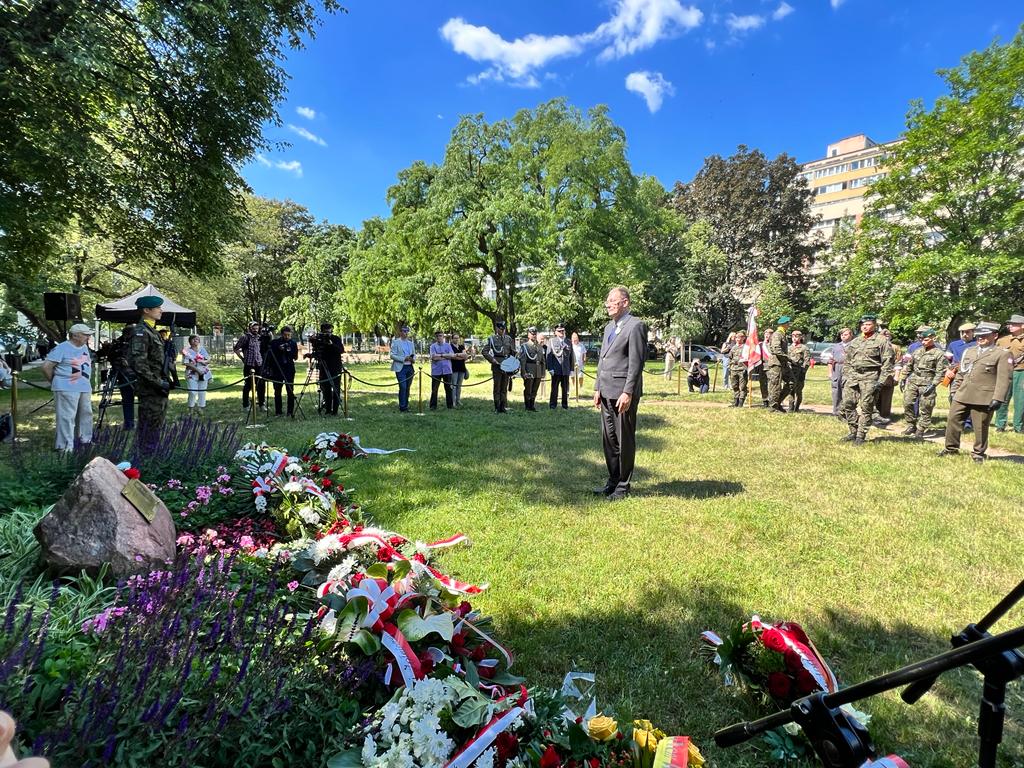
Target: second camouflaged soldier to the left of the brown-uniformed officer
[(870, 361)]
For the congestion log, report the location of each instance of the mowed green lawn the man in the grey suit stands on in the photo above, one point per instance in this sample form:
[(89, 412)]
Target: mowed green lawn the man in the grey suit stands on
[(880, 552)]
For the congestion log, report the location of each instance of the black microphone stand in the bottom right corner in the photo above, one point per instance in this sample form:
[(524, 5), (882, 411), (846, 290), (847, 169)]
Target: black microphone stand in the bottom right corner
[(841, 742)]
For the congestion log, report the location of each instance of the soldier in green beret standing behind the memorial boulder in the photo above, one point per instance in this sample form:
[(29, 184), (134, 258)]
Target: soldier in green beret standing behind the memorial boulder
[(146, 357)]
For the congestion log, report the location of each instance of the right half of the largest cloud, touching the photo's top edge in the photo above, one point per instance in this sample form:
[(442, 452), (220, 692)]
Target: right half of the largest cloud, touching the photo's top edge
[(639, 24)]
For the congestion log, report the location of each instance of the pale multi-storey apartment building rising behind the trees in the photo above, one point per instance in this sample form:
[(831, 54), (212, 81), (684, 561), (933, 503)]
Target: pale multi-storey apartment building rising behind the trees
[(841, 181)]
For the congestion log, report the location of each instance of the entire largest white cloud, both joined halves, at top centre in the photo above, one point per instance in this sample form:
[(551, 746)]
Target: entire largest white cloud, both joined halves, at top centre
[(634, 26)]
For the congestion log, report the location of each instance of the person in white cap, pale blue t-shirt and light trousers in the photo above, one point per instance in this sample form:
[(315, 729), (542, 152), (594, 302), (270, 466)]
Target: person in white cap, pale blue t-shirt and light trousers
[(69, 369)]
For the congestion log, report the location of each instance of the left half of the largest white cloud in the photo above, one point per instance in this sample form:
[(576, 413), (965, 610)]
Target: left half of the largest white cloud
[(514, 61)]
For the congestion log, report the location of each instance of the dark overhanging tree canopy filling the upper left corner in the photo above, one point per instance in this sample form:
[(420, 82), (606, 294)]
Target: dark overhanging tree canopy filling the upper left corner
[(132, 119)]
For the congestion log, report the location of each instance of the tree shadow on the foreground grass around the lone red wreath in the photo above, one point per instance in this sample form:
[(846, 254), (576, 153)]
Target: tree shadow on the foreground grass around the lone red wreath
[(648, 661)]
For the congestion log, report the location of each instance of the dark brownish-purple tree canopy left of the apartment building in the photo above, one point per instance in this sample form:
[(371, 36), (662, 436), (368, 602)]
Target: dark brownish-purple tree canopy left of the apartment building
[(759, 218)]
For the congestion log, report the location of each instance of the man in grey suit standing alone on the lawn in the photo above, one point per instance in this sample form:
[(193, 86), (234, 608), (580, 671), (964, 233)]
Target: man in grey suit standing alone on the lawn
[(618, 391)]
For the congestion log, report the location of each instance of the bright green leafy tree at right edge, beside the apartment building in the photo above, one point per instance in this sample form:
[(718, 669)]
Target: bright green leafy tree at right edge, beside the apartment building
[(951, 207)]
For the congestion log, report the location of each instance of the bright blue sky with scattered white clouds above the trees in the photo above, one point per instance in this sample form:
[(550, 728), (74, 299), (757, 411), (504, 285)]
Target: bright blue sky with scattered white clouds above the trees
[(385, 84)]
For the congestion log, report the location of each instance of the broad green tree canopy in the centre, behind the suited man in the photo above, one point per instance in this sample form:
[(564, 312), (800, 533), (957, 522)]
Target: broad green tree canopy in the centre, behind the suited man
[(540, 209)]
